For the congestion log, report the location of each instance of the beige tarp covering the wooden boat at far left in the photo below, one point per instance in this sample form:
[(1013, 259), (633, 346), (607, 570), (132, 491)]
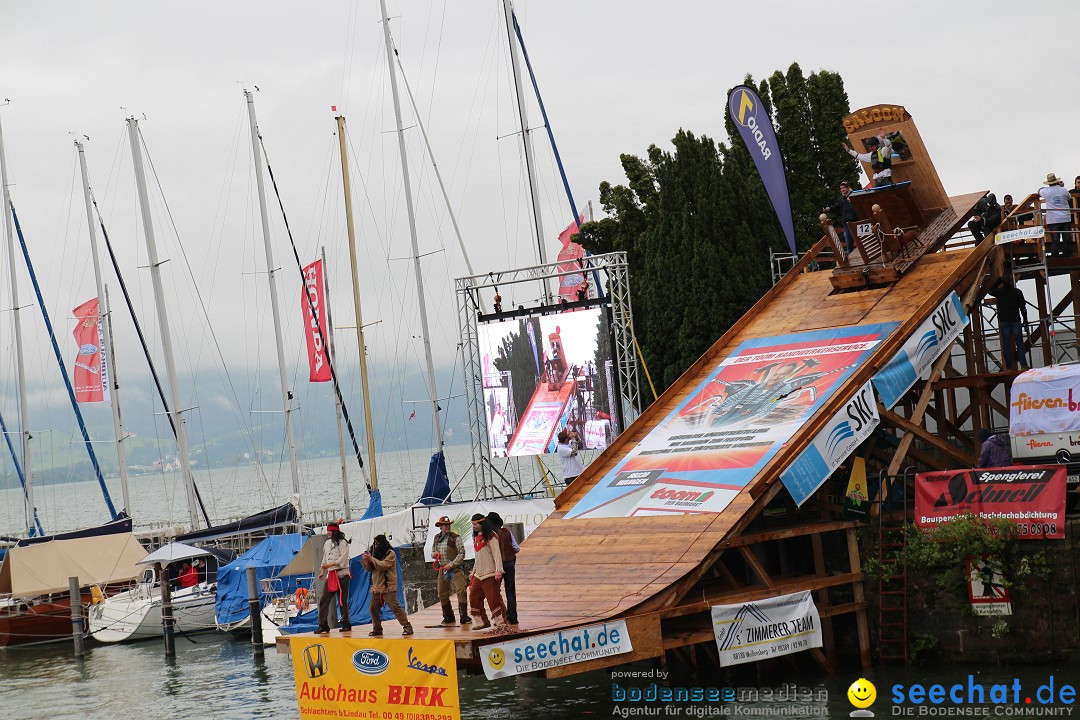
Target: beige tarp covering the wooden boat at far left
[(46, 567)]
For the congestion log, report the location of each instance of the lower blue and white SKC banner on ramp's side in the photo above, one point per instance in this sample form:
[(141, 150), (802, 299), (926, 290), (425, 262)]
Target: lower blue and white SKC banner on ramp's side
[(832, 446)]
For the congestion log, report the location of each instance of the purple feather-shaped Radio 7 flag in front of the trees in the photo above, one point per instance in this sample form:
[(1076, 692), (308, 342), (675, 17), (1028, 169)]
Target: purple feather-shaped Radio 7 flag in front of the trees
[(755, 127)]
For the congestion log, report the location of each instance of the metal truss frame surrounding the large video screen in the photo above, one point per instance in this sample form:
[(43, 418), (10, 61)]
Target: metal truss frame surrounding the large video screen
[(493, 483)]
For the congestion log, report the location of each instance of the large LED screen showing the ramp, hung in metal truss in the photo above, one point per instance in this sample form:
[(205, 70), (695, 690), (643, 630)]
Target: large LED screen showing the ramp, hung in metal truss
[(544, 374)]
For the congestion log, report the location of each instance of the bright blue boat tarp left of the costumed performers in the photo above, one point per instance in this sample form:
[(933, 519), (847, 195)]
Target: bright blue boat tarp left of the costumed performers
[(268, 559)]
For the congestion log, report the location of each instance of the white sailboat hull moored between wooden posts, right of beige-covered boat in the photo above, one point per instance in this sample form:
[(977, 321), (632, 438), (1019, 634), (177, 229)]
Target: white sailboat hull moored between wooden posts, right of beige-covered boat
[(137, 615)]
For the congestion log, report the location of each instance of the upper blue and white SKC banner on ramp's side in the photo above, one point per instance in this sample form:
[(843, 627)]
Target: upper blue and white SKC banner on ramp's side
[(920, 352)]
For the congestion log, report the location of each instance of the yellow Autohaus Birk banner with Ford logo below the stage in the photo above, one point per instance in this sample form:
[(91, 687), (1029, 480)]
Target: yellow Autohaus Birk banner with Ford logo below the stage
[(399, 680)]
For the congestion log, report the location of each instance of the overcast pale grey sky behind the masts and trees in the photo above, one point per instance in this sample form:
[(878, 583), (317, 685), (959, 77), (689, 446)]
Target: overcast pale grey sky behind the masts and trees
[(991, 86)]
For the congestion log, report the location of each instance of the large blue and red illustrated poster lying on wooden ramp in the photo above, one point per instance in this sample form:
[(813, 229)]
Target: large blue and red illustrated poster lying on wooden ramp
[(718, 440)]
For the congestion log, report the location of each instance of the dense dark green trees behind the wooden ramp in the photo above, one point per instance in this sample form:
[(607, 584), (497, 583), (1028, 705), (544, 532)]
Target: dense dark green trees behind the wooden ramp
[(697, 225)]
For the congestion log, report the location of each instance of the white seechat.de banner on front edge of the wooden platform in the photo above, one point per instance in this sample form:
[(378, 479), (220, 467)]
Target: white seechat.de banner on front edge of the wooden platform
[(541, 653)]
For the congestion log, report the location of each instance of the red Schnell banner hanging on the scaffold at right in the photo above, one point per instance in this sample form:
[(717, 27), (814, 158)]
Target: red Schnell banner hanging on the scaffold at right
[(1033, 497)]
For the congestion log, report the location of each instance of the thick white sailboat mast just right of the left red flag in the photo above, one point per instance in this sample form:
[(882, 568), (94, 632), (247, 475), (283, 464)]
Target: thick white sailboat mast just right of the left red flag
[(167, 338)]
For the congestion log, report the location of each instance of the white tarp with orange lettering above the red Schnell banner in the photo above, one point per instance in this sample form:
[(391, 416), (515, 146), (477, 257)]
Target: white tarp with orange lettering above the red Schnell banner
[(1046, 401)]
